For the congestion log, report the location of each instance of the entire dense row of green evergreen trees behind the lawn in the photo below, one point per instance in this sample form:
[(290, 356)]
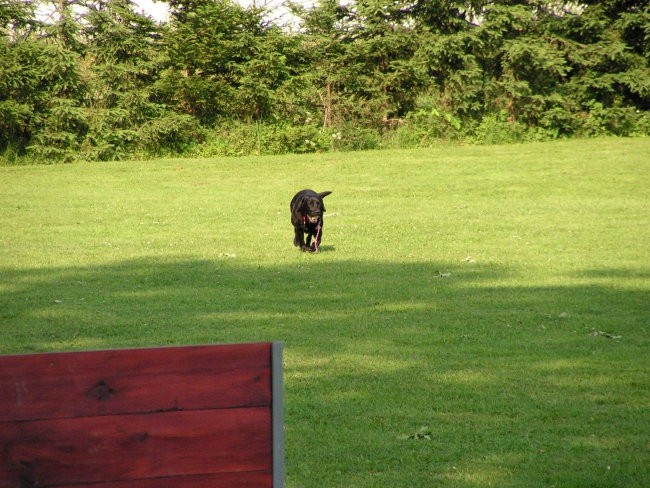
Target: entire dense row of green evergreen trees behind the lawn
[(97, 80)]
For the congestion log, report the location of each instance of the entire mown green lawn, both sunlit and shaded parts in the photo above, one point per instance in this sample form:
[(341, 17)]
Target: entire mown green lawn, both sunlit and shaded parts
[(479, 316)]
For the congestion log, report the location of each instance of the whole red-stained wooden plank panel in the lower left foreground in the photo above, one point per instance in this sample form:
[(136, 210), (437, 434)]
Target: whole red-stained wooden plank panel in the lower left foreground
[(178, 417)]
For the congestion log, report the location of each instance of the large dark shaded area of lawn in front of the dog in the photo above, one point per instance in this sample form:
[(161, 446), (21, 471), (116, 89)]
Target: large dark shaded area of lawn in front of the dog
[(512, 384)]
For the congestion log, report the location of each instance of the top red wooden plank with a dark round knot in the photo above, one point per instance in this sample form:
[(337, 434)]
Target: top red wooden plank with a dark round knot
[(39, 386)]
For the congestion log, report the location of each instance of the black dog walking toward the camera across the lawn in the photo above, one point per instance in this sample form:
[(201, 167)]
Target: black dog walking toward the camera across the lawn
[(307, 218)]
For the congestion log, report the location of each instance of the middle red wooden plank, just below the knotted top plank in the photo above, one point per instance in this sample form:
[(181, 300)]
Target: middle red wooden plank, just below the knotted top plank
[(117, 448)]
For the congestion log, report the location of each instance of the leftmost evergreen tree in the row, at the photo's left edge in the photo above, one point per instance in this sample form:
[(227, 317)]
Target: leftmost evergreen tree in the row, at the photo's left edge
[(41, 90)]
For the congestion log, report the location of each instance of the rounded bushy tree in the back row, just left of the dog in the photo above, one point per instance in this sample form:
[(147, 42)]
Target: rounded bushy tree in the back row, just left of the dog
[(225, 61)]
